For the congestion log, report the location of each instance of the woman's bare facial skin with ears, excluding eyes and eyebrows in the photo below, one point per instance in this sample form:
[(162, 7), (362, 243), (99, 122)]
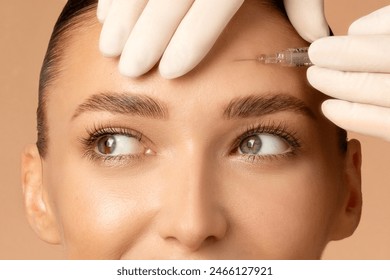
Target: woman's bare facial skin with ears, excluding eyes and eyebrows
[(189, 194)]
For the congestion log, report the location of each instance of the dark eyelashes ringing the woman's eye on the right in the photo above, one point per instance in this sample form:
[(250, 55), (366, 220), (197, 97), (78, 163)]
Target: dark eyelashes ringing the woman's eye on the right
[(277, 129)]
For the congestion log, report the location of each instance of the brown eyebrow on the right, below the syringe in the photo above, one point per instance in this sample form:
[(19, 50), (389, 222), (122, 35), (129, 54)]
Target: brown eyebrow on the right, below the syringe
[(257, 106)]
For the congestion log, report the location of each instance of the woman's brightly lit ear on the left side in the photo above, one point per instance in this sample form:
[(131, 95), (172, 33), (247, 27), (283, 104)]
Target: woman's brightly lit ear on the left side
[(39, 213)]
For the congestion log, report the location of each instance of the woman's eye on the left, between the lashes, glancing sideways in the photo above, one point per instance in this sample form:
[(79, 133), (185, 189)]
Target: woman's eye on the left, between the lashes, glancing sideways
[(119, 145)]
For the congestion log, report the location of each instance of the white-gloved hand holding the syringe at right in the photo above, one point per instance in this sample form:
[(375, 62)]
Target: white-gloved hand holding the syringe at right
[(356, 69)]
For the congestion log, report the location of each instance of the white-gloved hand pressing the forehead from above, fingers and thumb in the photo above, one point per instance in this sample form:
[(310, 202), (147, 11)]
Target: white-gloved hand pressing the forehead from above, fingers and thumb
[(181, 32)]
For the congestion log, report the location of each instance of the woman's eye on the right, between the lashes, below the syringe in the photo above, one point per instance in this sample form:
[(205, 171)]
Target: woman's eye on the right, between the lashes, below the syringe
[(263, 144)]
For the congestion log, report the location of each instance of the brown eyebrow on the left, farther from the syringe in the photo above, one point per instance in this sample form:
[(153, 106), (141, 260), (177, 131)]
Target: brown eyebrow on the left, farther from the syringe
[(123, 103)]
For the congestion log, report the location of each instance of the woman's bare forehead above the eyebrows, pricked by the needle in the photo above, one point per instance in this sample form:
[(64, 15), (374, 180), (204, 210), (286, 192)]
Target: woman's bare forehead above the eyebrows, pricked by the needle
[(219, 78)]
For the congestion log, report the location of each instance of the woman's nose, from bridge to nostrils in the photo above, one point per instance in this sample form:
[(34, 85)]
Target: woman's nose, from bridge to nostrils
[(193, 215)]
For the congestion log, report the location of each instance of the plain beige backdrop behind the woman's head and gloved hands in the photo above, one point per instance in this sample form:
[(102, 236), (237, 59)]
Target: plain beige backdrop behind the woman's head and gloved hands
[(25, 27)]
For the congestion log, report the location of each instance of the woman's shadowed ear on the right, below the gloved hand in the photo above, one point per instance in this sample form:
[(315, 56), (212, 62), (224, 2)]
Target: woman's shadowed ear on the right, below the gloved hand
[(351, 208)]
